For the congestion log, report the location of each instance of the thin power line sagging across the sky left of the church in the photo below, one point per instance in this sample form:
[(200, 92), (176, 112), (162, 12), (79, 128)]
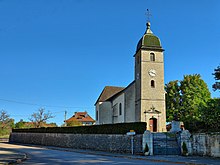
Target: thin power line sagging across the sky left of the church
[(41, 105)]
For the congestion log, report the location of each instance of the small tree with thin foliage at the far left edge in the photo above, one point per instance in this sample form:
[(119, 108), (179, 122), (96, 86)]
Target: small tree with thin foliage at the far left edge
[(6, 123)]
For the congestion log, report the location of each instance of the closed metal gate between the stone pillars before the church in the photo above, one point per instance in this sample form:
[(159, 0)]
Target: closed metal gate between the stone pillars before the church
[(166, 144)]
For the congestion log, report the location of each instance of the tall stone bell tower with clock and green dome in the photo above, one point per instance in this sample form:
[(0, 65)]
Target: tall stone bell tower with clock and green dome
[(149, 82)]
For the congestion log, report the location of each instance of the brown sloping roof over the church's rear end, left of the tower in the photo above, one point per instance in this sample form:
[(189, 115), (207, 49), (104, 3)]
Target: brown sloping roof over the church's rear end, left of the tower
[(108, 92)]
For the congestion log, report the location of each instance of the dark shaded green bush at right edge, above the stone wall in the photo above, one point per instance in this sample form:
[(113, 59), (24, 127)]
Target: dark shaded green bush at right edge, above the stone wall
[(210, 114)]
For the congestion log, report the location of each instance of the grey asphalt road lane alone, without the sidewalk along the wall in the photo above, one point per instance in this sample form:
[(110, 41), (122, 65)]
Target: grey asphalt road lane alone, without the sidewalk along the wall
[(44, 156)]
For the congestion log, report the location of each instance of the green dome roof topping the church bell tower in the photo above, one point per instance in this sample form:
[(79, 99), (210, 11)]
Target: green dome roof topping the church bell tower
[(149, 40)]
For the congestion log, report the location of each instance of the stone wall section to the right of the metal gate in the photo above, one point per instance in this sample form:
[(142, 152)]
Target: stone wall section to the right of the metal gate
[(205, 144)]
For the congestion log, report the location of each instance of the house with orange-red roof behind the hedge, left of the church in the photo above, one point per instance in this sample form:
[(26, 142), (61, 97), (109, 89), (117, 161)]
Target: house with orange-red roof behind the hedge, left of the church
[(80, 118)]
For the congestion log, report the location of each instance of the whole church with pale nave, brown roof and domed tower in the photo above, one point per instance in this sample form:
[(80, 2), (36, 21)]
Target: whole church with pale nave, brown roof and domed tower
[(143, 100)]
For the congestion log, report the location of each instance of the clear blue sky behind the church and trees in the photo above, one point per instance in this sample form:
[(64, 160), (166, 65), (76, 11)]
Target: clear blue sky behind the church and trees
[(59, 54)]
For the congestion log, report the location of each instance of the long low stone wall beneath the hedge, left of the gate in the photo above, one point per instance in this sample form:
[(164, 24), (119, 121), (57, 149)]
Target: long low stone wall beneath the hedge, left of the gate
[(99, 142)]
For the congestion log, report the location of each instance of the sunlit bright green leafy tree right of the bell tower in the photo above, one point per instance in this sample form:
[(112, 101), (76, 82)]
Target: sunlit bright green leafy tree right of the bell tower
[(194, 94)]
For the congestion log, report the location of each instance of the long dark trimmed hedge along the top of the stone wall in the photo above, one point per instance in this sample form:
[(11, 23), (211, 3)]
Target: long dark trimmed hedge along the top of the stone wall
[(120, 128)]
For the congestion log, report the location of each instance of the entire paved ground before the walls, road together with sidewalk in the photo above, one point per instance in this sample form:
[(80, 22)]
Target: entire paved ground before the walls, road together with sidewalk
[(53, 155)]
